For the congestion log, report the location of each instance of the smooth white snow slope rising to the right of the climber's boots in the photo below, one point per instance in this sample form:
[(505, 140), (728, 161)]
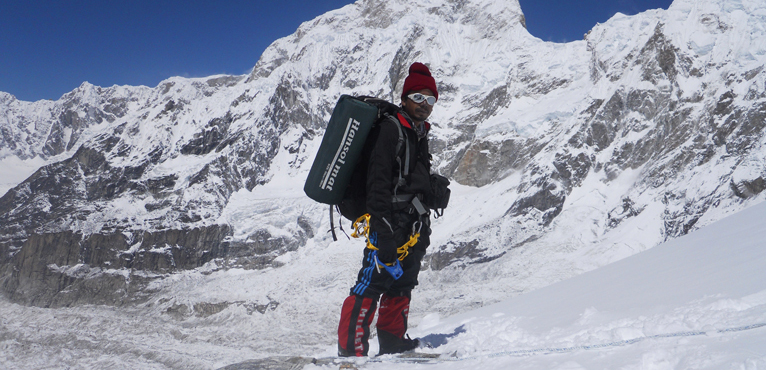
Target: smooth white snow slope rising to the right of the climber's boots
[(696, 302)]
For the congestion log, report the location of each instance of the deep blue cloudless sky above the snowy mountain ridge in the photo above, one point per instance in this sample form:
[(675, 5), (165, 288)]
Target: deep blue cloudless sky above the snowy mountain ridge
[(49, 47)]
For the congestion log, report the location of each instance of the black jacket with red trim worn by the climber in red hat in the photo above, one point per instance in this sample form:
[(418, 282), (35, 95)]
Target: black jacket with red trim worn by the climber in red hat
[(389, 219)]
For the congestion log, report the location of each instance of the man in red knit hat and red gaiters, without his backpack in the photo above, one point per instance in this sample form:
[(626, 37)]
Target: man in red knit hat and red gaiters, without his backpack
[(394, 218)]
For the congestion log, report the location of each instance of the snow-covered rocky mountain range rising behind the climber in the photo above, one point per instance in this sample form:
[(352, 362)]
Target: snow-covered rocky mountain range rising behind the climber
[(565, 158)]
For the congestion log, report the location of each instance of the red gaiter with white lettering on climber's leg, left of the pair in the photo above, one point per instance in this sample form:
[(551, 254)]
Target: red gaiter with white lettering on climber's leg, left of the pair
[(354, 328)]
